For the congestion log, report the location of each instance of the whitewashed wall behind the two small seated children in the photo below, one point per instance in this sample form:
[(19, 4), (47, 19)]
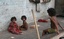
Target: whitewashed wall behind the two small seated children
[(10, 8)]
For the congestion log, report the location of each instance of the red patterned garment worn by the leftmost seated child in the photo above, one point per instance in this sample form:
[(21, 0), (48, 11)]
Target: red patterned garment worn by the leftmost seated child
[(14, 28)]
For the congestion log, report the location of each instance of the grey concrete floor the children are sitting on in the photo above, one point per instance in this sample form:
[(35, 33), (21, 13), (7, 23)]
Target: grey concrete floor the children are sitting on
[(31, 33)]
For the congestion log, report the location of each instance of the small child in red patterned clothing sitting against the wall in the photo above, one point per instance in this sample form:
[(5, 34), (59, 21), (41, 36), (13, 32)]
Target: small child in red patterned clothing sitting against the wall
[(13, 27)]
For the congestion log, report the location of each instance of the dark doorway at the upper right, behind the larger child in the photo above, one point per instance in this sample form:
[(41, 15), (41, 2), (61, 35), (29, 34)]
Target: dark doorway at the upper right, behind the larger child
[(59, 6)]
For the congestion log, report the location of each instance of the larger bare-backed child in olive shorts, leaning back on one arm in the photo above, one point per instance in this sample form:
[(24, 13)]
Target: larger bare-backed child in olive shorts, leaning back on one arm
[(54, 22)]
